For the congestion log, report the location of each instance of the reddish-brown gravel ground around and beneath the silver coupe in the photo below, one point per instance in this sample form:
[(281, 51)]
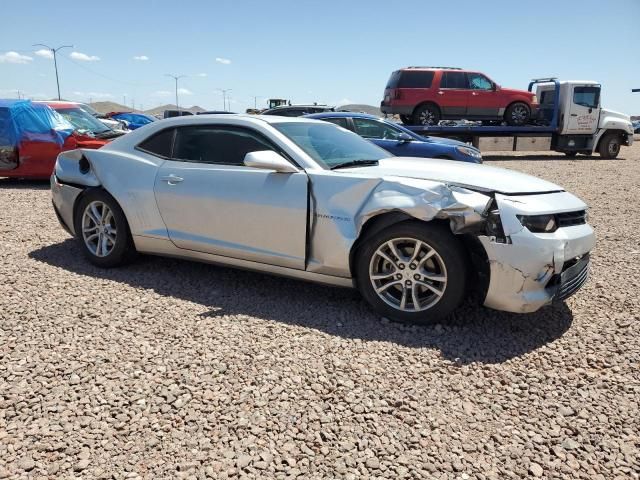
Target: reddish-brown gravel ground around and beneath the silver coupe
[(172, 369)]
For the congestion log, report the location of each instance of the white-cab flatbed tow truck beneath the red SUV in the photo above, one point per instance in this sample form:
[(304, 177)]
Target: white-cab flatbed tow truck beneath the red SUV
[(570, 120)]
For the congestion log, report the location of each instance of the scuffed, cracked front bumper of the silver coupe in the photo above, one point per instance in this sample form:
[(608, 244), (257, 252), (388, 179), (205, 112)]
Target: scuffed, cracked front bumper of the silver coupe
[(534, 269)]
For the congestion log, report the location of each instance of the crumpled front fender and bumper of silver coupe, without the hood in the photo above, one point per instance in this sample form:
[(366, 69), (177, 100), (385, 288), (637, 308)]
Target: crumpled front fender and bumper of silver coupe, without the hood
[(524, 270)]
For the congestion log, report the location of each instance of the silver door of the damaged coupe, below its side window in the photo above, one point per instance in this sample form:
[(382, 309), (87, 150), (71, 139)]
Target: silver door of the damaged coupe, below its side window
[(235, 211)]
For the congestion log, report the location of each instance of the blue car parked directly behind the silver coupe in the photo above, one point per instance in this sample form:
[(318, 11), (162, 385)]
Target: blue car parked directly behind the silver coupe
[(398, 140)]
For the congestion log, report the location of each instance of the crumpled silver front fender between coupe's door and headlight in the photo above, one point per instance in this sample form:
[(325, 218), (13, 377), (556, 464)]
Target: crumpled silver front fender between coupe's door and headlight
[(341, 206)]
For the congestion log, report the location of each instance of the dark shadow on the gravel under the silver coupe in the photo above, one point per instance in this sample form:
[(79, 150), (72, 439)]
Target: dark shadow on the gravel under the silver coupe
[(473, 334)]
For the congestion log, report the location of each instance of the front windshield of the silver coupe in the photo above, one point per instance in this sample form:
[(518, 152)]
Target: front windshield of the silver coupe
[(330, 145)]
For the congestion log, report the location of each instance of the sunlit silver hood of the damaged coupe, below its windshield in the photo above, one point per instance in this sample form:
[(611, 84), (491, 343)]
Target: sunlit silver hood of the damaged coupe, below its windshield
[(469, 175)]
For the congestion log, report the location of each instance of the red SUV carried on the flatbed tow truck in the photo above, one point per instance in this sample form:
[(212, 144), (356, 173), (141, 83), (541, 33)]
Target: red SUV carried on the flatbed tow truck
[(426, 95)]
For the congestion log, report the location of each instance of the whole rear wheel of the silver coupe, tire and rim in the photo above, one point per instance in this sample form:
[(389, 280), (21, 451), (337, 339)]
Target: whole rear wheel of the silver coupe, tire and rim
[(102, 230)]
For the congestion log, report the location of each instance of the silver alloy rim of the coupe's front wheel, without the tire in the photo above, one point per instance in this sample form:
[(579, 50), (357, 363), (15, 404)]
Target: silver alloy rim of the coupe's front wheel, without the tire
[(408, 274)]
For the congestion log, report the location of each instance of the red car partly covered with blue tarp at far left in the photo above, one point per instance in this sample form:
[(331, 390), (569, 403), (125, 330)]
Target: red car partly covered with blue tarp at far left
[(31, 137)]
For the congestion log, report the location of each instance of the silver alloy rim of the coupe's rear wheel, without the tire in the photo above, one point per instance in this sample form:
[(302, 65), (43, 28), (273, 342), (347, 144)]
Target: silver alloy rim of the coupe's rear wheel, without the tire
[(99, 229)]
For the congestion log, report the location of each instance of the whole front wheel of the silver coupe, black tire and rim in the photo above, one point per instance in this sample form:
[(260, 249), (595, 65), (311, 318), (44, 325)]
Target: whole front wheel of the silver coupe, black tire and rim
[(412, 272)]
